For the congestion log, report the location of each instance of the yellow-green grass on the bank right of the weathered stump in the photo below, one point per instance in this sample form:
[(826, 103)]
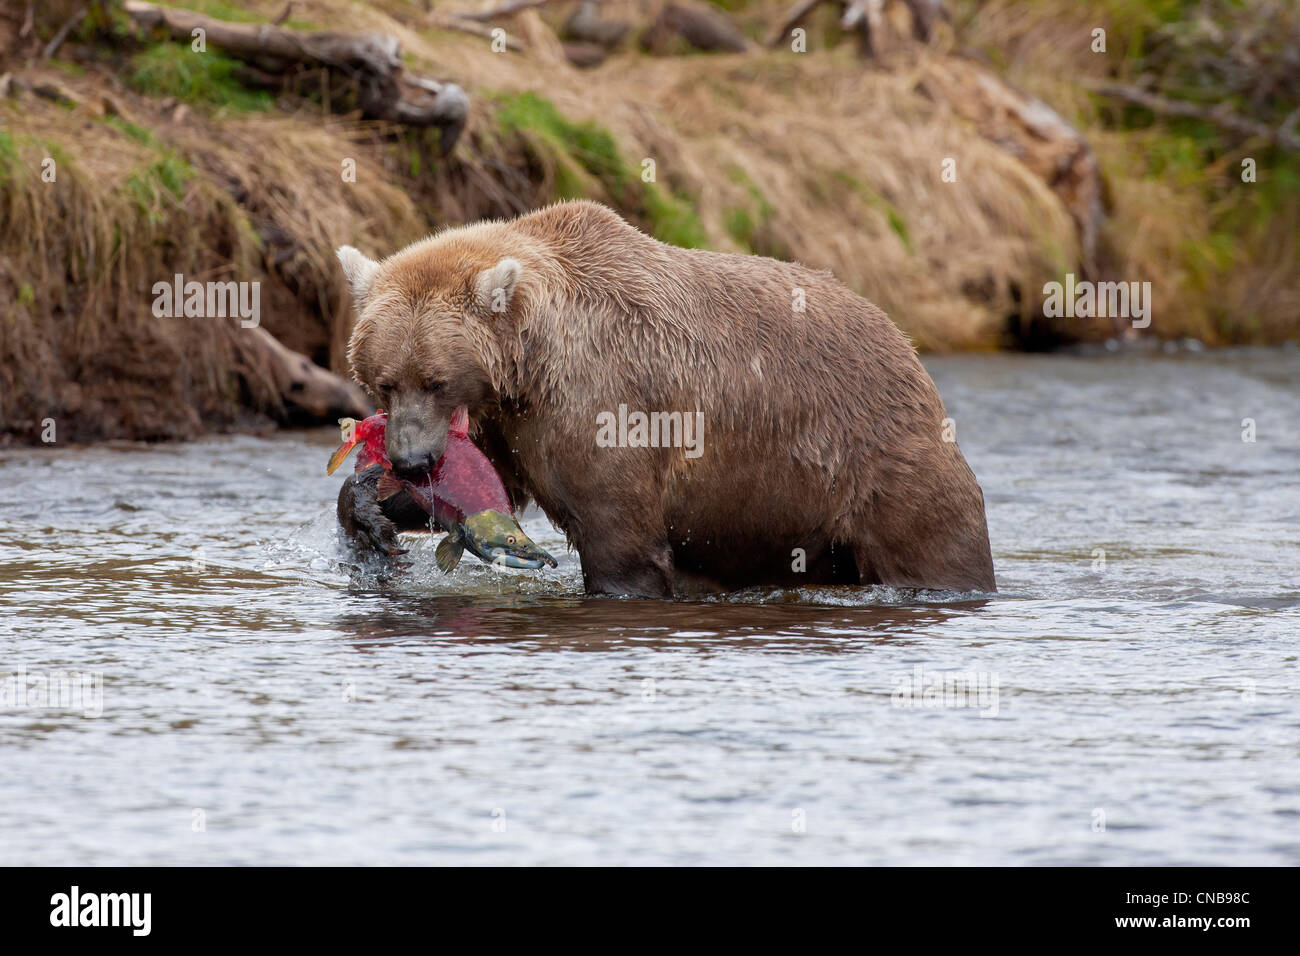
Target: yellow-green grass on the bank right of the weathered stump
[(1221, 254)]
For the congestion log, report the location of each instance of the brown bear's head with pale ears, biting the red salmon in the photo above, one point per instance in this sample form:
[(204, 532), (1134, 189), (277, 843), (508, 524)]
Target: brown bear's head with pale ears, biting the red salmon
[(419, 344)]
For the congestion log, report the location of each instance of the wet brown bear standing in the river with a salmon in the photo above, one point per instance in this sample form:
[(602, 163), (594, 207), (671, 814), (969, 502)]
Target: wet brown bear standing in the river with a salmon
[(691, 421)]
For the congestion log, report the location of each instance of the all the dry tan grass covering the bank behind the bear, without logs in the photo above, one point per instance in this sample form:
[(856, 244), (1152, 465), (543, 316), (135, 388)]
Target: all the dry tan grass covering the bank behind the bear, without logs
[(818, 158)]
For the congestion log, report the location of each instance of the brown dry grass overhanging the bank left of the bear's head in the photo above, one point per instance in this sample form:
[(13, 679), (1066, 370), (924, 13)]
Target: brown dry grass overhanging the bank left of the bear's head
[(133, 206)]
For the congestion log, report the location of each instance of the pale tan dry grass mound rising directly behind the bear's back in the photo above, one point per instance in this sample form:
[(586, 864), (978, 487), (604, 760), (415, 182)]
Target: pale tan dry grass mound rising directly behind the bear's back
[(814, 157)]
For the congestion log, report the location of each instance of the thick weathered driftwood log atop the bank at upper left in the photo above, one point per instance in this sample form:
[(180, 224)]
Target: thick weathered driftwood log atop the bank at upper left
[(387, 90)]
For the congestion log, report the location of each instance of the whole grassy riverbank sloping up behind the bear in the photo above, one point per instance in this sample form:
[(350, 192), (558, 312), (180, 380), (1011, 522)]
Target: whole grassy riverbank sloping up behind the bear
[(170, 162)]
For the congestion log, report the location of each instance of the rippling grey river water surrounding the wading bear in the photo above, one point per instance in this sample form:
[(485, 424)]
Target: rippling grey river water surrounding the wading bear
[(235, 694)]
